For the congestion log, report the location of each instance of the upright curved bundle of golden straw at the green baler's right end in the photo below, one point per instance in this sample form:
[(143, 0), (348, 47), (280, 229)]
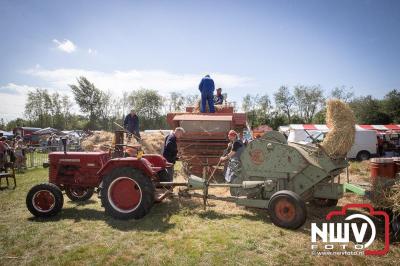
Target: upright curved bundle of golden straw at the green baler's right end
[(341, 121)]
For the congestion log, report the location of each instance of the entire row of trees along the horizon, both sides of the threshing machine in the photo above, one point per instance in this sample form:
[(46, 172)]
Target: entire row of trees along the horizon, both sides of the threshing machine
[(101, 110)]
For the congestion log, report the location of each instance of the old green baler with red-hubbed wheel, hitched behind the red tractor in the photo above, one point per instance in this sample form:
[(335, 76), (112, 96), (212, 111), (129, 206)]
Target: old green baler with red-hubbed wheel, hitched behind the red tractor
[(281, 177)]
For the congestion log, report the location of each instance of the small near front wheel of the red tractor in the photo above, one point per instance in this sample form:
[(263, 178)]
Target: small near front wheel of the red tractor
[(44, 200)]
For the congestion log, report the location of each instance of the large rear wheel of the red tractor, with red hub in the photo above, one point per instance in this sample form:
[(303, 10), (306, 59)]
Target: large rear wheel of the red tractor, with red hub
[(127, 193)]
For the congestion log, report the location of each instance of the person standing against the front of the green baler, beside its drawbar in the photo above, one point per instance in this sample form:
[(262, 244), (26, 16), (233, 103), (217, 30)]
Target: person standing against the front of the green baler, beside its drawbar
[(236, 147)]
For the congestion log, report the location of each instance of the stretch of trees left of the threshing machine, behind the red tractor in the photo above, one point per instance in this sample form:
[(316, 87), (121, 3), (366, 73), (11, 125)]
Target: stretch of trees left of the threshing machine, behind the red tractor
[(99, 110)]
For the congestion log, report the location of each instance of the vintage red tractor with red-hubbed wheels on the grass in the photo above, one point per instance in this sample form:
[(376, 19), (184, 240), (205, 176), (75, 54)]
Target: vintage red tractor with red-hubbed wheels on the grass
[(126, 185)]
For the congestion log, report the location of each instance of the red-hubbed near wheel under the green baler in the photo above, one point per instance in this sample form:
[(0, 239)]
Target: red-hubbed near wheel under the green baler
[(287, 209)]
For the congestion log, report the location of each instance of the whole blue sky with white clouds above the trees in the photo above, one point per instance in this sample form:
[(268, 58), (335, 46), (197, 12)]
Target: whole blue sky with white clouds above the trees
[(247, 46)]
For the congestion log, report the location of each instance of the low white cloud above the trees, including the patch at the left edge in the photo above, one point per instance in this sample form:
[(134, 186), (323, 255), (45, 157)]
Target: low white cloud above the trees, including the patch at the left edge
[(14, 95)]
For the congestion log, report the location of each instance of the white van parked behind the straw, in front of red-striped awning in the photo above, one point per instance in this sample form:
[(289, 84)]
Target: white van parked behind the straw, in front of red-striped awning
[(365, 142)]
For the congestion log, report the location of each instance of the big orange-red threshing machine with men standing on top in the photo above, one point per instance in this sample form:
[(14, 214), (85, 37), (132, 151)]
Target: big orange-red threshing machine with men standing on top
[(206, 136)]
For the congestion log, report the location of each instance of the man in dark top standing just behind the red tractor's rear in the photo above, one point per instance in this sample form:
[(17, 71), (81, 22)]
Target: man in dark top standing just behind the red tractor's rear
[(170, 151)]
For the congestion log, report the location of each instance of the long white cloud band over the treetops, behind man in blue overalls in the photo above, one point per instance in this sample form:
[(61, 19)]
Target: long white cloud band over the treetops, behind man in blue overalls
[(119, 81)]
